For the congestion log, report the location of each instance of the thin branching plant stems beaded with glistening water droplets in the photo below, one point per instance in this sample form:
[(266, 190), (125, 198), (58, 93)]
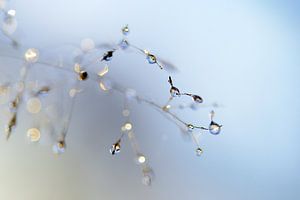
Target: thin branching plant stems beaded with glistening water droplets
[(33, 104)]
